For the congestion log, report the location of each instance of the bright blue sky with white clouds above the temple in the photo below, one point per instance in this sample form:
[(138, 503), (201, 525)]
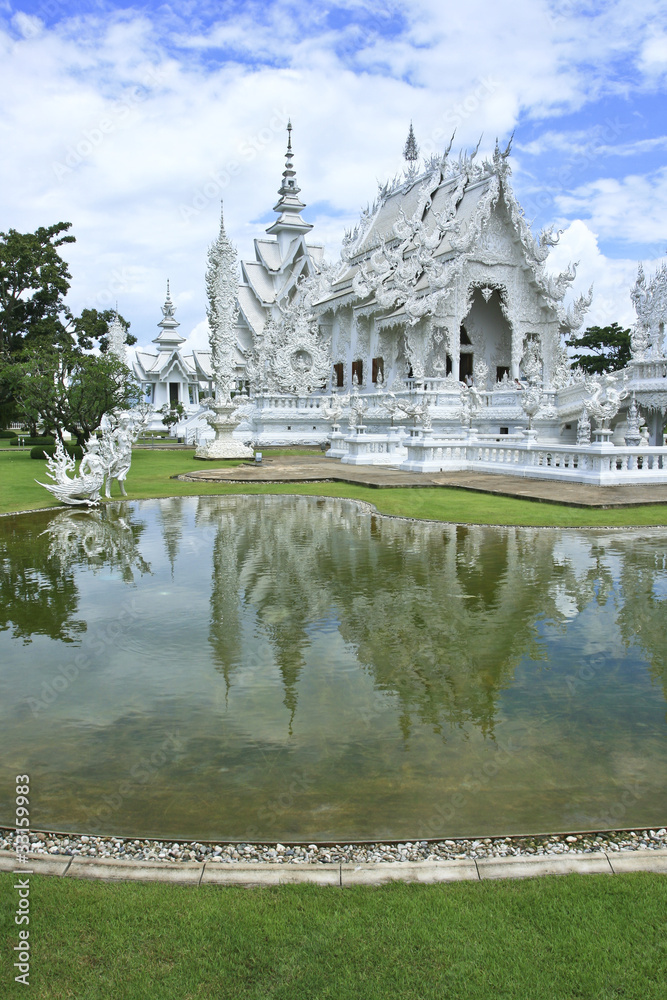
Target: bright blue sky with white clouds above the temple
[(132, 122)]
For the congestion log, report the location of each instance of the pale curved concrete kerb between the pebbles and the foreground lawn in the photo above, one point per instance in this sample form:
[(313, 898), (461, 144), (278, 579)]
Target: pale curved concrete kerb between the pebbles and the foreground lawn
[(339, 875)]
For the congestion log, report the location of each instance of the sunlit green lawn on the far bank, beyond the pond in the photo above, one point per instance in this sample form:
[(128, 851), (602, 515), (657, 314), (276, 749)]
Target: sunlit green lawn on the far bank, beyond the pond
[(151, 474)]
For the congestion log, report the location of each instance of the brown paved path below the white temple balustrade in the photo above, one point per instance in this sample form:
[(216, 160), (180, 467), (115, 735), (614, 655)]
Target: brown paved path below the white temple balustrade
[(315, 468)]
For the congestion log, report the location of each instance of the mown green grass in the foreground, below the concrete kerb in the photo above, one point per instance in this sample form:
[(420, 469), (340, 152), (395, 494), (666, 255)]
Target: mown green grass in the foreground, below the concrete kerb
[(554, 938)]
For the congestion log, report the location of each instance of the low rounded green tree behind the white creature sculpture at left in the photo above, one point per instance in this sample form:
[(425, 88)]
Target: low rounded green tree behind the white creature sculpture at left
[(68, 389)]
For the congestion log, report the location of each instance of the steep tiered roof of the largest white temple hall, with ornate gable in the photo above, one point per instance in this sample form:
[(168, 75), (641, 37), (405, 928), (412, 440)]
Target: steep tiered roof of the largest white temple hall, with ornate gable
[(409, 246)]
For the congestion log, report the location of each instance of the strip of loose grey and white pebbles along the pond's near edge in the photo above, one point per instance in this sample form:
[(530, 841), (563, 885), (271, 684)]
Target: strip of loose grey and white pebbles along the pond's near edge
[(61, 846)]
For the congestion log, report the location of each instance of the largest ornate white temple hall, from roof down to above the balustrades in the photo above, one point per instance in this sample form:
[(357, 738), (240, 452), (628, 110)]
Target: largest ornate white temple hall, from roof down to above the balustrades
[(442, 278)]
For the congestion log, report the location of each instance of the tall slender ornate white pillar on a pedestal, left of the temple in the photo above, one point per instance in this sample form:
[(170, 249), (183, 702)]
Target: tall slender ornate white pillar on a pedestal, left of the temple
[(222, 313)]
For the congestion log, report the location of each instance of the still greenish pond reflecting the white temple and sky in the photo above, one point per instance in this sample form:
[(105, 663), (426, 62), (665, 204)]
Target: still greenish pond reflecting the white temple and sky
[(291, 668)]
